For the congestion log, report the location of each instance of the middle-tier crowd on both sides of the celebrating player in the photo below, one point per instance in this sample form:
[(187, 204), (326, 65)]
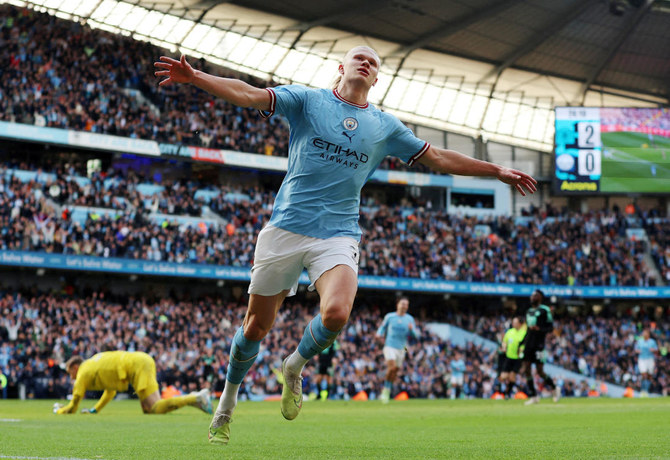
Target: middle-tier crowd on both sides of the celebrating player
[(564, 248)]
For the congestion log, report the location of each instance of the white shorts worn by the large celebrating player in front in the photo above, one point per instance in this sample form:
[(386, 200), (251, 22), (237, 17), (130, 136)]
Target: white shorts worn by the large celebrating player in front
[(281, 256)]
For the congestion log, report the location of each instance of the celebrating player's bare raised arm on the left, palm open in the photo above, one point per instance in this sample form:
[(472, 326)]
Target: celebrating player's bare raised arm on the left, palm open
[(231, 90)]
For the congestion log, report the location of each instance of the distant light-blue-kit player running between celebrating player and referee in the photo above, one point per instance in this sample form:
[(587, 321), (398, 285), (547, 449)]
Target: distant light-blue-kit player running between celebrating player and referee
[(395, 329)]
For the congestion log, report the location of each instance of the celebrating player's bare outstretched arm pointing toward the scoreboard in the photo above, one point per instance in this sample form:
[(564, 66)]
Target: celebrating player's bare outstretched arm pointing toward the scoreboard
[(452, 162)]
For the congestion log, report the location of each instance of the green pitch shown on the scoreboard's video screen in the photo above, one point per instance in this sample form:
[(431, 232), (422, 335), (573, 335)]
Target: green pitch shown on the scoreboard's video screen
[(629, 167)]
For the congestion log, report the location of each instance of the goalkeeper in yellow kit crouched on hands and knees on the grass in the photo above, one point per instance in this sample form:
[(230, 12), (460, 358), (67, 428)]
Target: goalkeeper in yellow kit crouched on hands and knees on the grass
[(113, 371)]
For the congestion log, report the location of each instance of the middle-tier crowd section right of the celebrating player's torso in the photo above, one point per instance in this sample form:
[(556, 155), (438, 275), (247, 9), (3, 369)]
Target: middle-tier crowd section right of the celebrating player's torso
[(570, 249)]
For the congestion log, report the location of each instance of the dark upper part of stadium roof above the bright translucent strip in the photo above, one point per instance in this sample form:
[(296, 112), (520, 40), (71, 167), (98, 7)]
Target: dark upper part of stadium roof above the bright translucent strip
[(618, 44)]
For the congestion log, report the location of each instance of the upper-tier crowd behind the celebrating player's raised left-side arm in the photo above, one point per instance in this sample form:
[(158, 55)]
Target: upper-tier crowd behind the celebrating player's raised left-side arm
[(63, 74)]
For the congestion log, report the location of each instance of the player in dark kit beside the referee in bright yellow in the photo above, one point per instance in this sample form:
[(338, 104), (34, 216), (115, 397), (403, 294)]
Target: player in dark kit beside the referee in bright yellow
[(540, 322)]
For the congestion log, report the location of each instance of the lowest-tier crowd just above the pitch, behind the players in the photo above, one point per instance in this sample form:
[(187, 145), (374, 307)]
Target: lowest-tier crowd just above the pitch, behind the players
[(190, 343)]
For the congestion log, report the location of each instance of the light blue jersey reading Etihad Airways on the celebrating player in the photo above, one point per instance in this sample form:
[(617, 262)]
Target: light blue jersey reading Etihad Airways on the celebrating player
[(334, 147)]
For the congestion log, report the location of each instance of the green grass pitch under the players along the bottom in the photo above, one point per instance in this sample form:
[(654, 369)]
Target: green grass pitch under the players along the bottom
[(420, 429)]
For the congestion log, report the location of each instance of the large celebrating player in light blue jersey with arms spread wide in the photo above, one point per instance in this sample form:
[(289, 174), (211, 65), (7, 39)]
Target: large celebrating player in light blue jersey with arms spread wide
[(337, 140)]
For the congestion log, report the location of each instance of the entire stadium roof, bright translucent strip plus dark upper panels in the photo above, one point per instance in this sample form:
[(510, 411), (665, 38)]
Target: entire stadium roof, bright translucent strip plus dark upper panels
[(481, 67)]
